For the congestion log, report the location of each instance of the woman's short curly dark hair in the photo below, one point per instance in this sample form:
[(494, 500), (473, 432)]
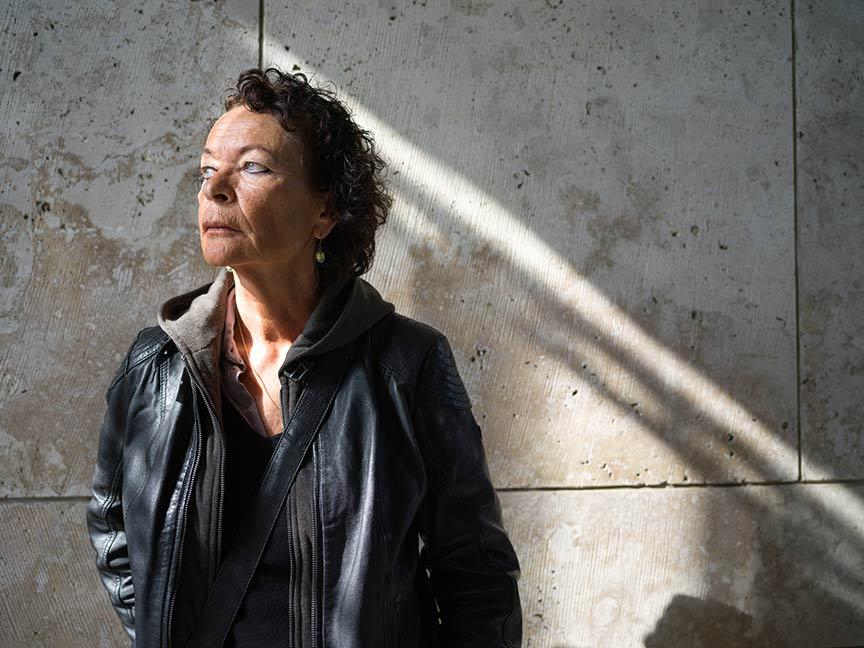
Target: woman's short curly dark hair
[(338, 156)]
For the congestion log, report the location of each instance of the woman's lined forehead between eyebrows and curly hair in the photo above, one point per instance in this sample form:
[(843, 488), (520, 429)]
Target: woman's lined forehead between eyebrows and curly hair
[(241, 128)]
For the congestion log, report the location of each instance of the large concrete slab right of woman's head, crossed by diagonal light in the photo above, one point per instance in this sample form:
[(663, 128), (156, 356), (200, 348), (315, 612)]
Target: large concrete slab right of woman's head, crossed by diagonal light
[(595, 203)]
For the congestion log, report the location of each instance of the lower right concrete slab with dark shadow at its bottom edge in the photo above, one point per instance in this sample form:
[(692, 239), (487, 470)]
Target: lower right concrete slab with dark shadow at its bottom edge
[(752, 566)]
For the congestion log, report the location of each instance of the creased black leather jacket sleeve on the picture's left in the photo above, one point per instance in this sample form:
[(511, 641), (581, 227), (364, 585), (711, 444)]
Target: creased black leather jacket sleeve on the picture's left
[(104, 511)]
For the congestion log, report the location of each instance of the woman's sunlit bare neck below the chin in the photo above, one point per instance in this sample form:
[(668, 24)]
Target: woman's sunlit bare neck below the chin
[(273, 307)]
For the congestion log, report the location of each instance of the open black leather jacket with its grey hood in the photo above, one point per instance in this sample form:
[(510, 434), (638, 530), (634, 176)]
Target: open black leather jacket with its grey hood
[(399, 459)]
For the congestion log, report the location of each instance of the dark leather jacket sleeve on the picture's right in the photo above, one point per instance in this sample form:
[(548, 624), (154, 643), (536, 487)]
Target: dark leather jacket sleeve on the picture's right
[(472, 565)]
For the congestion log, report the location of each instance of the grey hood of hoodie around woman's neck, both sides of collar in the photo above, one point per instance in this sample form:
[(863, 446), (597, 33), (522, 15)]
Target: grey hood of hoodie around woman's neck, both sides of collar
[(195, 321)]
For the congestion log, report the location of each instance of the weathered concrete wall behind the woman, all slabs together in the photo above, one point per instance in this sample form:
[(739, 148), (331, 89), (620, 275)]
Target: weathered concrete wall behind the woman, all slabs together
[(639, 224)]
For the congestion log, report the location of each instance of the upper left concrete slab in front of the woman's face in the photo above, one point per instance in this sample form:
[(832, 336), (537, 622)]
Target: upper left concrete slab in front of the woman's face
[(100, 133)]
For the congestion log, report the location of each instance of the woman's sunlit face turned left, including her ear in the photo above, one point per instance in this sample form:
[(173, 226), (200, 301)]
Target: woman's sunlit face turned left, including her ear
[(255, 206)]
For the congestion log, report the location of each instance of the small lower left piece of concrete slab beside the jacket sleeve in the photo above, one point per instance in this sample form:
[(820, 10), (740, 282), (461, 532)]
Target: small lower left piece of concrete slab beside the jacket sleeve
[(50, 594)]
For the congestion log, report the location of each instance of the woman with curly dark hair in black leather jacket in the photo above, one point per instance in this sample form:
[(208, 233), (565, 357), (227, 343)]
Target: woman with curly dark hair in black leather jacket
[(284, 504)]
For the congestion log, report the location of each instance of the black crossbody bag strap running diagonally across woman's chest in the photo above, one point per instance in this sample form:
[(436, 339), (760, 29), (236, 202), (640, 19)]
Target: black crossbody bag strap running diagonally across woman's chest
[(241, 560)]
